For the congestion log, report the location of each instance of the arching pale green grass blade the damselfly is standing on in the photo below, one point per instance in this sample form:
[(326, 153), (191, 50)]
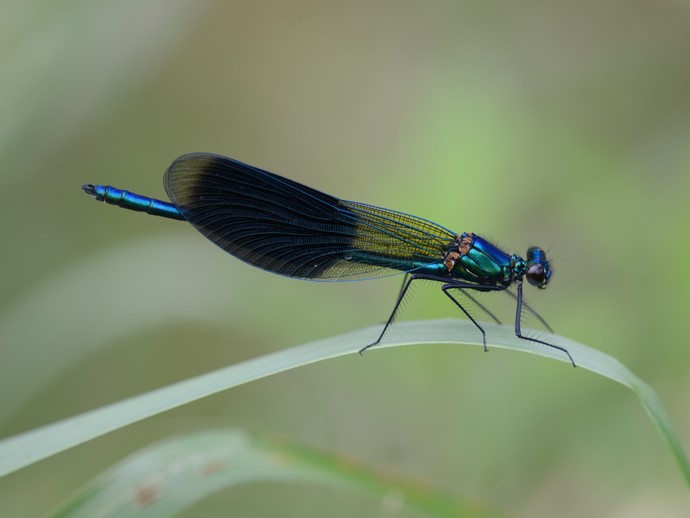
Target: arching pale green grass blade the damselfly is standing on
[(29, 447)]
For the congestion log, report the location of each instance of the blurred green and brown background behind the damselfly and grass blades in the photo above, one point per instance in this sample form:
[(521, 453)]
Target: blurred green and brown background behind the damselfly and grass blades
[(563, 124)]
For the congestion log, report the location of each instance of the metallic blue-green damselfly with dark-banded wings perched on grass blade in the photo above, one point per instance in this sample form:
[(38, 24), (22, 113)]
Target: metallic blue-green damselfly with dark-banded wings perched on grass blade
[(287, 228)]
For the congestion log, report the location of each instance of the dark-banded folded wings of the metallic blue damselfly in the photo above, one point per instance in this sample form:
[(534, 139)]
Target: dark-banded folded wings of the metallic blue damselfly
[(288, 228)]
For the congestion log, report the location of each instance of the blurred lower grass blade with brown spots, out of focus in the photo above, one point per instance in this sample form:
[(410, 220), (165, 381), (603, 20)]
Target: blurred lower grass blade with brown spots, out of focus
[(169, 476)]
